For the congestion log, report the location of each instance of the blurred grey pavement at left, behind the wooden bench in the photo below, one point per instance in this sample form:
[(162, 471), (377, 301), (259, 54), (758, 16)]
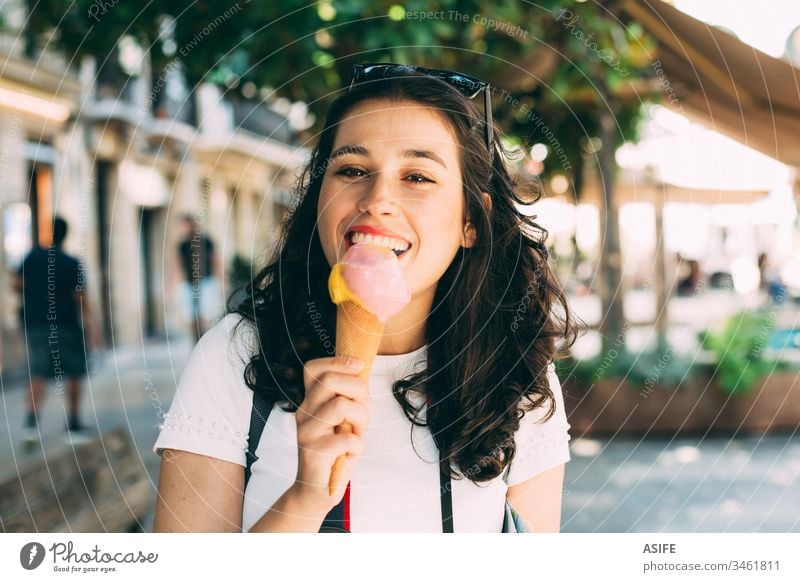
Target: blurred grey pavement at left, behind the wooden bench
[(129, 387)]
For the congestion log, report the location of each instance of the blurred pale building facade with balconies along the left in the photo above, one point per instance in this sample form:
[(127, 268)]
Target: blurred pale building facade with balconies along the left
[(122, 152)]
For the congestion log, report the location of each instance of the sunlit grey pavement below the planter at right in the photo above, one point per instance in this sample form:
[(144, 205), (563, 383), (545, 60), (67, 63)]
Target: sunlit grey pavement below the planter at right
[(709, 484)]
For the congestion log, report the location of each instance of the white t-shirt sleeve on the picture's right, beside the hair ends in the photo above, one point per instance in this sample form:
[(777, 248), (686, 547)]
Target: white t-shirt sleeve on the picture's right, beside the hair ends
[(541, 445)]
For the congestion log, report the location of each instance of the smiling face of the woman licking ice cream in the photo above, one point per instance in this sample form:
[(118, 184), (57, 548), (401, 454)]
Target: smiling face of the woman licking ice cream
[(394, 179)]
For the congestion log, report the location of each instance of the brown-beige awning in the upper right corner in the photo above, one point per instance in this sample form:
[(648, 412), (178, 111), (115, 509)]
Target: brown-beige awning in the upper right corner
[(726, 84)]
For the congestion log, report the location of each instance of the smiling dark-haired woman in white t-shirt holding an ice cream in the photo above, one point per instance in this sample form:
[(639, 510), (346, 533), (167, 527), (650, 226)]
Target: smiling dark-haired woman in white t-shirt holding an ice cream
[(462, 412)]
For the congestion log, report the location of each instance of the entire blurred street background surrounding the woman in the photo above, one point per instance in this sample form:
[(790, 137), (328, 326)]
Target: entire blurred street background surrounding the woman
[(663, 136)]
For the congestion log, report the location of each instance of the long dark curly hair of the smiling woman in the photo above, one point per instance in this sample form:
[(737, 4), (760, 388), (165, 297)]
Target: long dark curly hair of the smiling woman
[(495, 321)]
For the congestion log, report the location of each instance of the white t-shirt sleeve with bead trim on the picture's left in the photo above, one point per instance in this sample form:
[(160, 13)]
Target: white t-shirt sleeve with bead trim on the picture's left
[(210, 414)]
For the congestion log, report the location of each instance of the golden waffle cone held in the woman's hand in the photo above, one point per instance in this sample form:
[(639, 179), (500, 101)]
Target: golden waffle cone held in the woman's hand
[(358, 335)]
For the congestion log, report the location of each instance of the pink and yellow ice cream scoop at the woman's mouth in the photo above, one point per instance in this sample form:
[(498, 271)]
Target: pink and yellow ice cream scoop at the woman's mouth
[(370, 275)]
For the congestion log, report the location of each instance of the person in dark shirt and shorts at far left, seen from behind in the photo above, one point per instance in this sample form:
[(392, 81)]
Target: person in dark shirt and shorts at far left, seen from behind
[(54, 316)]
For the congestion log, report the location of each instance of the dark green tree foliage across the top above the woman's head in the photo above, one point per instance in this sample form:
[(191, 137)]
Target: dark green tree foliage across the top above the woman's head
[(553, 63)]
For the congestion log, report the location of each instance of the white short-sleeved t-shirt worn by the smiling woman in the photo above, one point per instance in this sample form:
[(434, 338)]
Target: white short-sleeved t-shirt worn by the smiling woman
[(394, 487)]
